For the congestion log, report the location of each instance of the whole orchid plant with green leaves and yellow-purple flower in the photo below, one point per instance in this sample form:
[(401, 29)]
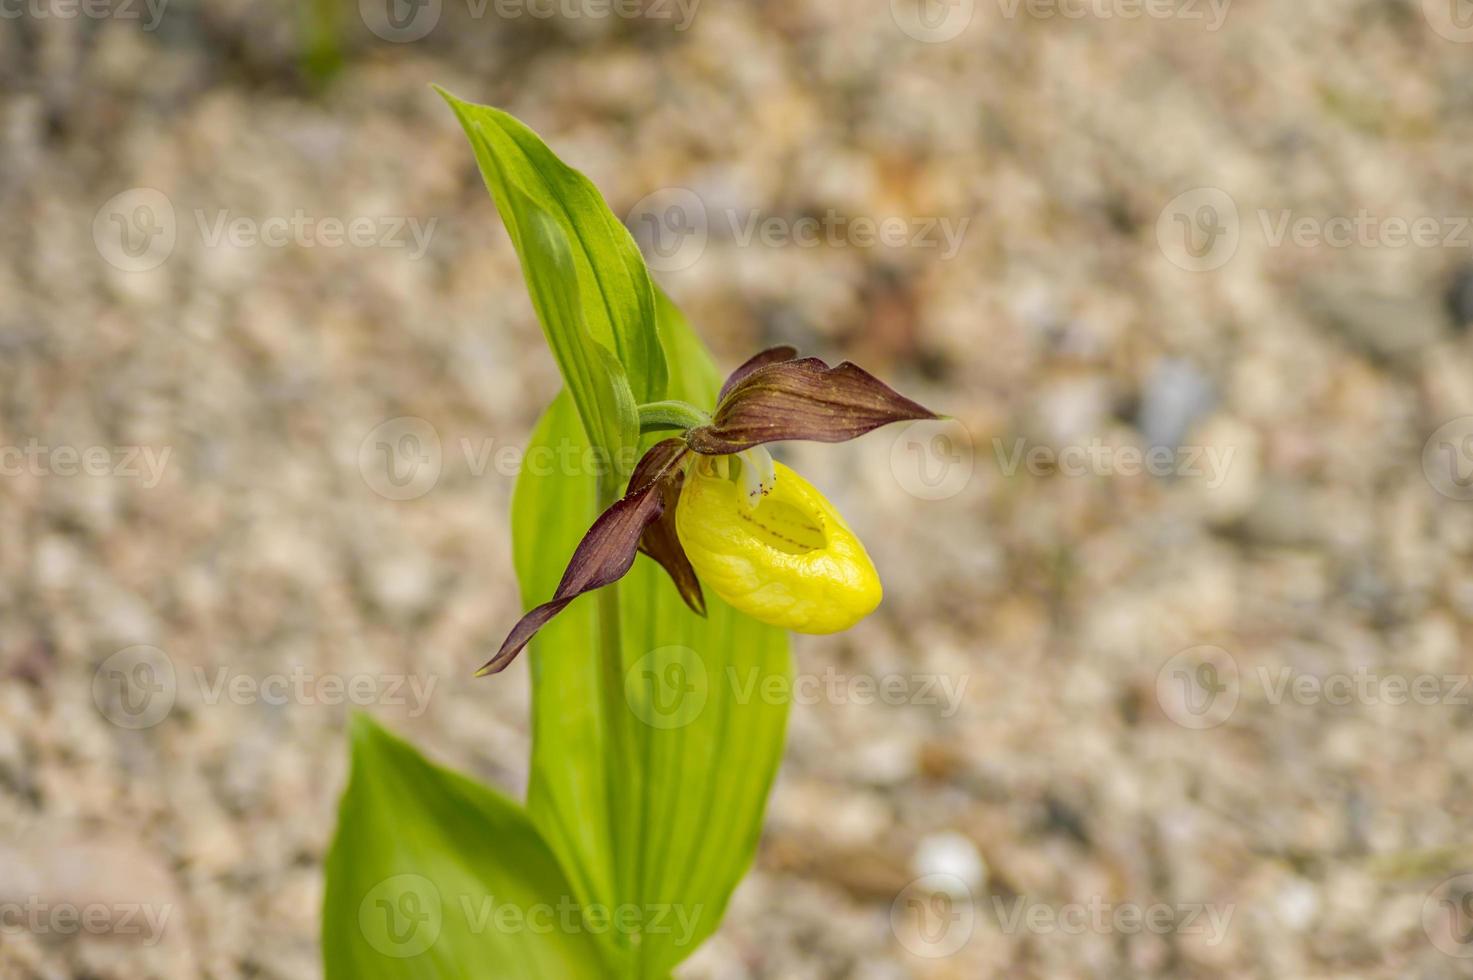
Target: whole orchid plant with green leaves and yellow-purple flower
[(652, 763)]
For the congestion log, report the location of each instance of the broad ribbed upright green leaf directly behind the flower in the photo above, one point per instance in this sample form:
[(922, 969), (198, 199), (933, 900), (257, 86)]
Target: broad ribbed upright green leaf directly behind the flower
[(650, 774)]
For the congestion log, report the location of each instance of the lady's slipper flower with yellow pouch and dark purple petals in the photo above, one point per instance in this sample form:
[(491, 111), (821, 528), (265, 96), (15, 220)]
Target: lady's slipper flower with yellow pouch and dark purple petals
[(711, 505)]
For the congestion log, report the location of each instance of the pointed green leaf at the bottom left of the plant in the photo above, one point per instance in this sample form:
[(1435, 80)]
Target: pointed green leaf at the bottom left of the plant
[(434, 876)]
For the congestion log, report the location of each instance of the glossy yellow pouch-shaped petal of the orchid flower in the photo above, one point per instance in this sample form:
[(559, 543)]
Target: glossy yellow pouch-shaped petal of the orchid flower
[(790, 561)]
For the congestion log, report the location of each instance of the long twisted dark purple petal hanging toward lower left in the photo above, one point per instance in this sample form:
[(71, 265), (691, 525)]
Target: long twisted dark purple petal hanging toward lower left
[(608, 550)]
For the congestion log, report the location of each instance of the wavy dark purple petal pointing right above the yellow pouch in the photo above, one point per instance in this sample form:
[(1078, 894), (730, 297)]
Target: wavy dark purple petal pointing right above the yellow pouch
[(802, 400)]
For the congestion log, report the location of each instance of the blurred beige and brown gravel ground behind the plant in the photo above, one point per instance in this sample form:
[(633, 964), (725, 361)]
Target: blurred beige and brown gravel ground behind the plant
[(1148, 668)]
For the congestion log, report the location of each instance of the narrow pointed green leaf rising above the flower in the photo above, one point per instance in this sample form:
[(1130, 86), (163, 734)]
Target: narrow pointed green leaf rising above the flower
[(593, 269)]
